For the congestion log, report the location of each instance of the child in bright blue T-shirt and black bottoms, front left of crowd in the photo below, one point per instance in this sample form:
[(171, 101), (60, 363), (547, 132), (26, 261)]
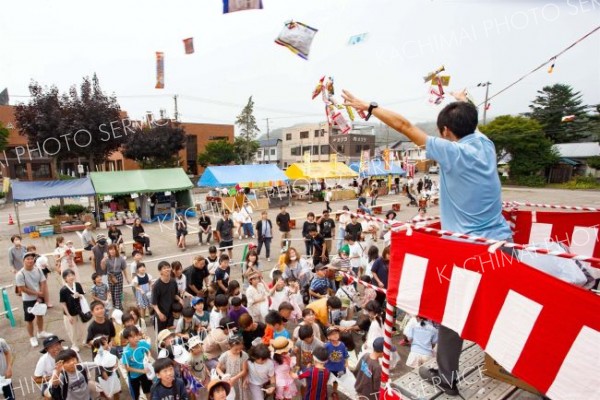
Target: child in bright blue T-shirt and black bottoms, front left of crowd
[(133, 358)]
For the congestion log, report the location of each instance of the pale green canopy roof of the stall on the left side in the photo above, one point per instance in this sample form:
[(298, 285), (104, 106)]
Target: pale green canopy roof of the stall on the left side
[(140, 181)]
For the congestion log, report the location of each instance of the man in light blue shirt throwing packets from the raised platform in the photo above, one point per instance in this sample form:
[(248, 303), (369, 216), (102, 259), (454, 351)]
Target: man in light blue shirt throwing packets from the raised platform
[(470, 195)]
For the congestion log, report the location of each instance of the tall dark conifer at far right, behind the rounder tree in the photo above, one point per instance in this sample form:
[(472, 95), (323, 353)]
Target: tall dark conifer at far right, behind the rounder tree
[(555, 102)]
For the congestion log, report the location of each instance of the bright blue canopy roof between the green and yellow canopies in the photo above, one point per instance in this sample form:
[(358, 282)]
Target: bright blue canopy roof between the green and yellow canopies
[(245, 175)]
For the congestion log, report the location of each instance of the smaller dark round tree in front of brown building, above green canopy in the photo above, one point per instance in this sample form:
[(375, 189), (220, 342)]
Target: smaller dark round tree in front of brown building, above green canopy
[(156, 145)]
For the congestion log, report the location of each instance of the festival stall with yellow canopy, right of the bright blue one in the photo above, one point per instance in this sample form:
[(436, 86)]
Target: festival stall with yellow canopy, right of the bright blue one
[(317, 175)]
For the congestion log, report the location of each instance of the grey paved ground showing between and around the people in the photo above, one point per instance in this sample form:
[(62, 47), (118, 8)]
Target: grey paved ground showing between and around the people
[(164, 247)]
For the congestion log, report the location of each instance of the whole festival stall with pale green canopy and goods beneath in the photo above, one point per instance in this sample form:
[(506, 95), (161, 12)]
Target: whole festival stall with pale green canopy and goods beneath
[(149, 193)]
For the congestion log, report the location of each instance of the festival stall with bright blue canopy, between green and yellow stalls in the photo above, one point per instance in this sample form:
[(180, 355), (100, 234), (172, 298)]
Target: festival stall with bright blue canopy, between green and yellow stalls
[(263, 185)]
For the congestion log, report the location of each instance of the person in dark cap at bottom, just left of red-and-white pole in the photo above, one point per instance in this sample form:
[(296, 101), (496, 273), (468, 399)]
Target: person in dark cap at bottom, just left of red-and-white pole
[(368, 375)]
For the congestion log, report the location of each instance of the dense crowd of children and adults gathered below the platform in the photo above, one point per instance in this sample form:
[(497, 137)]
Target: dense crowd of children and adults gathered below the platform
[(289, 332)]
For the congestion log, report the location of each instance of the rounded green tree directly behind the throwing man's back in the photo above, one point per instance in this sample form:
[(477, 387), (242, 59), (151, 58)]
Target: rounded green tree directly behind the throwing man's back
[(531, 152)]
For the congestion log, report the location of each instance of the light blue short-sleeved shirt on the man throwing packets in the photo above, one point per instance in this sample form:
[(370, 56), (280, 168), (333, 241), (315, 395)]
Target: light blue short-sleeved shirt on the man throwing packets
[(470, 193)]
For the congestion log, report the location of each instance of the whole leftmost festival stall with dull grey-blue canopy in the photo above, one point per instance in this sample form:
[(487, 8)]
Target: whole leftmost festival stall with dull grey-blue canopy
[(28, 192)]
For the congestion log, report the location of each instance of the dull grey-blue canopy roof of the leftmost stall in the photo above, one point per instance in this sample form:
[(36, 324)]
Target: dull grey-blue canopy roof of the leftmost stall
[(40, 190)]
